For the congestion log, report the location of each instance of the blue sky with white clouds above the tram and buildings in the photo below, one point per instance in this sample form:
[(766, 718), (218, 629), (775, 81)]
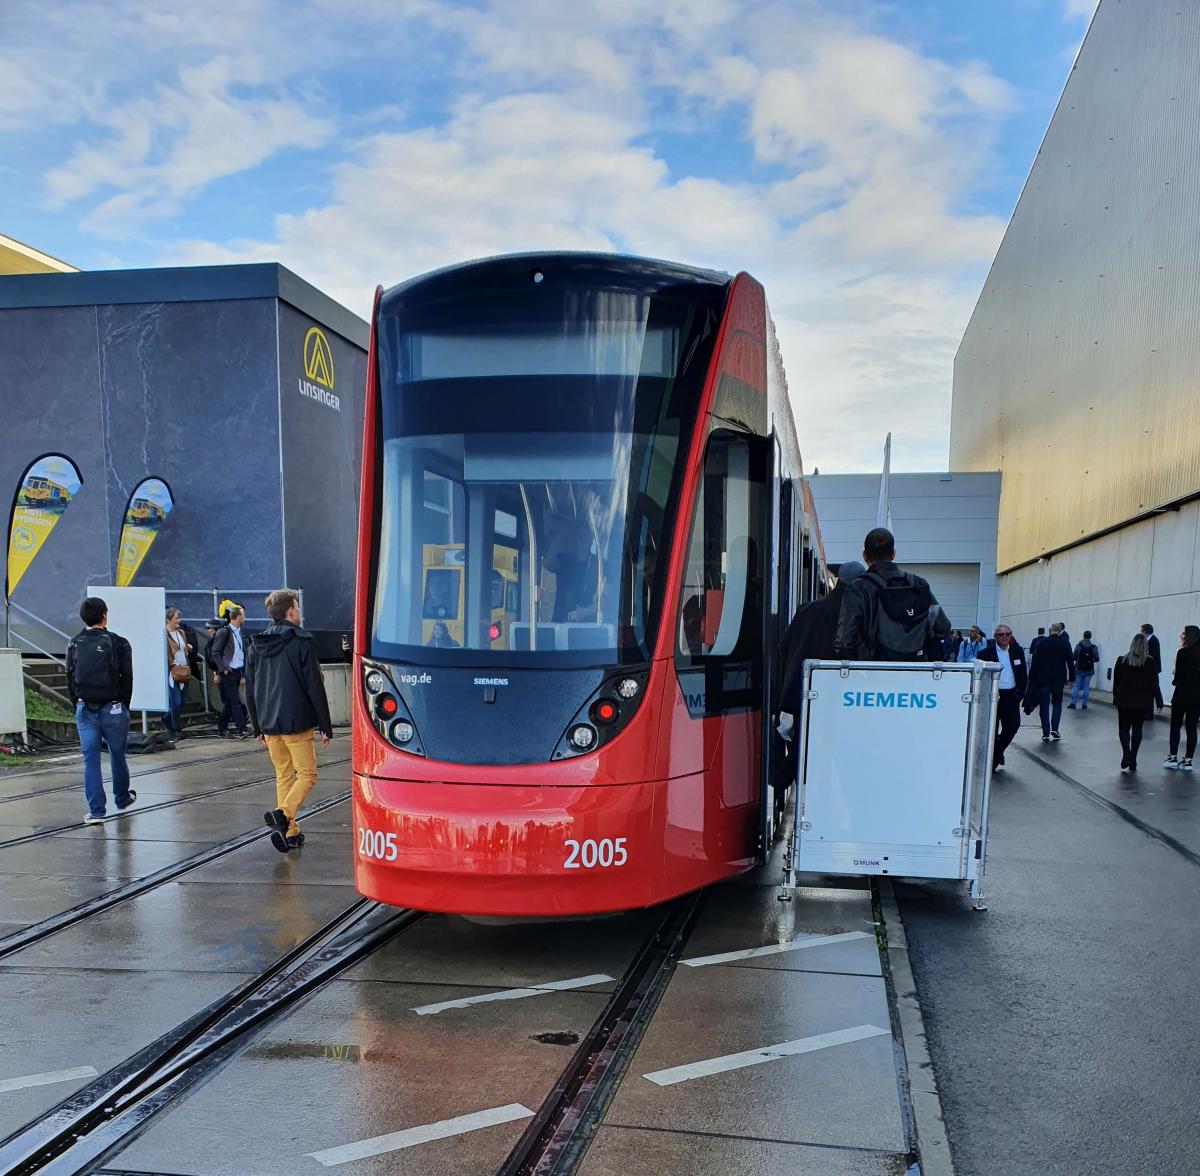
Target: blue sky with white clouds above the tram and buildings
[(860, 158)]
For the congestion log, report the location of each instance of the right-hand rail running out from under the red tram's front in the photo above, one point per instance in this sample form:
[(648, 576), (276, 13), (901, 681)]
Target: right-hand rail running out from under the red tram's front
[(559, 1136)]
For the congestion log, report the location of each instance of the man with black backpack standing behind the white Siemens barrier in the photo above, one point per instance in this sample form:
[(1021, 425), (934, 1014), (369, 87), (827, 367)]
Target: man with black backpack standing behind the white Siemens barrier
[(890, 615)]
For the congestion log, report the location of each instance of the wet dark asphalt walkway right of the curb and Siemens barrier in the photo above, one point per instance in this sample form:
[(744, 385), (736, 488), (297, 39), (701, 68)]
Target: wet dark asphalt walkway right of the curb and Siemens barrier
[(1063, 1022)]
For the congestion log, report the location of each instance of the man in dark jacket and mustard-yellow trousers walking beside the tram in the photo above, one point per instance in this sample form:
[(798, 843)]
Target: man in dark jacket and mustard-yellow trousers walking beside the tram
[(287, 706)]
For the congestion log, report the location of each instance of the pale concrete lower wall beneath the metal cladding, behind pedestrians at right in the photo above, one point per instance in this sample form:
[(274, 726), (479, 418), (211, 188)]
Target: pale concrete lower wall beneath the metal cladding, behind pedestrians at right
[(1147, 572)]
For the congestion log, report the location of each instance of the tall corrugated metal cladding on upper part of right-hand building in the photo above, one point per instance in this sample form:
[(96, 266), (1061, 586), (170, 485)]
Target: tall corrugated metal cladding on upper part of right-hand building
[(1079, 374)]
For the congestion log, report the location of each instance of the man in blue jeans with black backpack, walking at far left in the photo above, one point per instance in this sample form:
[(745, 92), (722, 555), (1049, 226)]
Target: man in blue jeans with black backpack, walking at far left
[(100, 681)]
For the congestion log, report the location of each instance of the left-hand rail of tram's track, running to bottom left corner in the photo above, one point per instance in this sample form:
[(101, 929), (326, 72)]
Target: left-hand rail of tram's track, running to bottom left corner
[(111, 1113)]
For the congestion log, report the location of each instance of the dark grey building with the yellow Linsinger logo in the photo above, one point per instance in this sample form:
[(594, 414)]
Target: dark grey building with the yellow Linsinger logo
[(241, 386)]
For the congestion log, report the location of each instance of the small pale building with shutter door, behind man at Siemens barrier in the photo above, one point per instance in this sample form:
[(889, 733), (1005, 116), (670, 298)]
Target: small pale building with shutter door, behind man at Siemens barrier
[(945, 526)]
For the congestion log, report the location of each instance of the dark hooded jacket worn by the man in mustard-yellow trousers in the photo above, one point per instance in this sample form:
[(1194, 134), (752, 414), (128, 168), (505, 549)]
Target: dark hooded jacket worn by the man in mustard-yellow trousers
[(284, 687)]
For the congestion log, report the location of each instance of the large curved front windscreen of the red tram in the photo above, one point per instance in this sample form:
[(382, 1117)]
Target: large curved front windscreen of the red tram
[(532, 439)]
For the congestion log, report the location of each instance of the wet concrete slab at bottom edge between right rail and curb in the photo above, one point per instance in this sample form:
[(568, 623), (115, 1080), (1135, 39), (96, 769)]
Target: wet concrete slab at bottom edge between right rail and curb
[(622, 1151)]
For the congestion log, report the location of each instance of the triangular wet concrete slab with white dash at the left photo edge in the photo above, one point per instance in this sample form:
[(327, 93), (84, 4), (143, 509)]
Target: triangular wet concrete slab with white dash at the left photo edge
[(64, 1021)]
